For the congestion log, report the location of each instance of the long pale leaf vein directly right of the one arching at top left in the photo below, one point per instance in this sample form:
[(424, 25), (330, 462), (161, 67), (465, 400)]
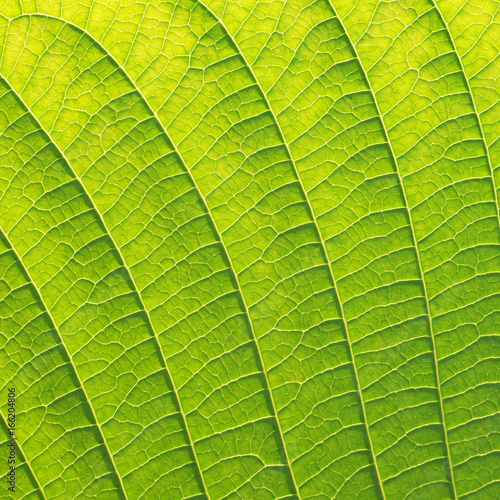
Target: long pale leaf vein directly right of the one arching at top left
[(321, 239)]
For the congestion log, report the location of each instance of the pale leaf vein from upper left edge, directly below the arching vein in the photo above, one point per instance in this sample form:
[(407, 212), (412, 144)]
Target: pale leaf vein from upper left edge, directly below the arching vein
[(139, 296)]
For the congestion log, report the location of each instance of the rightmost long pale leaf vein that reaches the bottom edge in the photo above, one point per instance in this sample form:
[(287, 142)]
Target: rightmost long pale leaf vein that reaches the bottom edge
[(407, 206)]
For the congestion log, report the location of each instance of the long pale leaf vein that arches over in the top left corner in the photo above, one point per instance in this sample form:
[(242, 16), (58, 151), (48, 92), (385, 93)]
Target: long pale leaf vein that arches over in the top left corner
[(213, 223)]
